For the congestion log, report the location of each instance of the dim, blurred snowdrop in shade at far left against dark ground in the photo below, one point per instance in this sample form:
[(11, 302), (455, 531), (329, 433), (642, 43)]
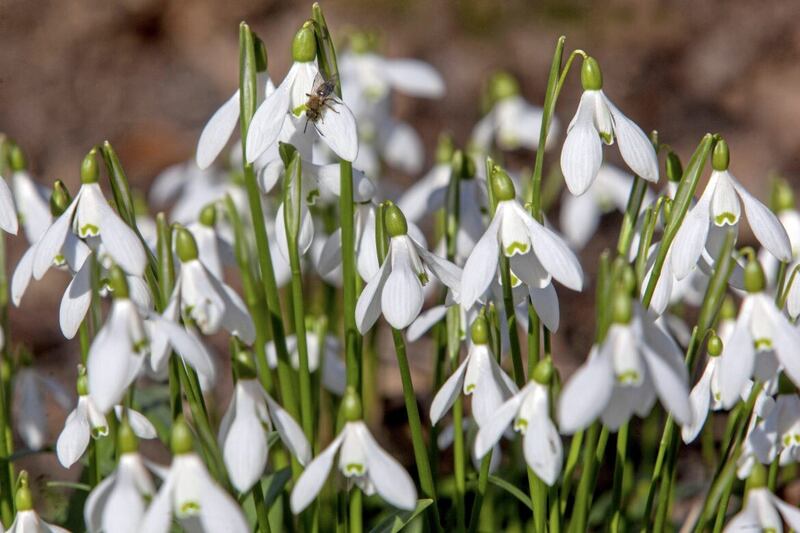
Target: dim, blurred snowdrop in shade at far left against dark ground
[(30, 414)]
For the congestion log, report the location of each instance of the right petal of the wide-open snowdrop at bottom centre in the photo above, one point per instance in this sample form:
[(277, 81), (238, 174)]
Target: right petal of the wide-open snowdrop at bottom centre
[(390, 479)]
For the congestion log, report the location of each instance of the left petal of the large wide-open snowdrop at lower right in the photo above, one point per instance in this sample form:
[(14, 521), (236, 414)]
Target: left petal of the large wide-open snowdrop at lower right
[(586, 394)]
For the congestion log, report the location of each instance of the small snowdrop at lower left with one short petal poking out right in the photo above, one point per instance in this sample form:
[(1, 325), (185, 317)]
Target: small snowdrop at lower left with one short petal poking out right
[(87, 421)]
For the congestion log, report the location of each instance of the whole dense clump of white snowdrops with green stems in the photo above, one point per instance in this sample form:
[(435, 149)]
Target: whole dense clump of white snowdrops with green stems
[(323, 255)]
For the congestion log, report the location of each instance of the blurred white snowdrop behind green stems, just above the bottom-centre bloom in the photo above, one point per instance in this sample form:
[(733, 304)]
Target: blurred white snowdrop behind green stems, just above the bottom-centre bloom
[(323, 353)]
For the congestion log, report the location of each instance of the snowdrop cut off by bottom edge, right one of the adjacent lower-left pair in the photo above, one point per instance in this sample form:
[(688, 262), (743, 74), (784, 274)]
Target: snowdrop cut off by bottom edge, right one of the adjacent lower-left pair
[(190, 494)]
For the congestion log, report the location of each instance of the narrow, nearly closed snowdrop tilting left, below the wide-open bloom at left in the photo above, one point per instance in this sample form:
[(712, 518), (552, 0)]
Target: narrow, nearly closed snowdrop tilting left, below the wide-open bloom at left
[(119, 349)]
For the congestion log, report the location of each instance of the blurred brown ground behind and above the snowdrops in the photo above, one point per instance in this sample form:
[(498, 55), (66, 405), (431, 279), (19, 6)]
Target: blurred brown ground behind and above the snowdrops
[(146, 75)]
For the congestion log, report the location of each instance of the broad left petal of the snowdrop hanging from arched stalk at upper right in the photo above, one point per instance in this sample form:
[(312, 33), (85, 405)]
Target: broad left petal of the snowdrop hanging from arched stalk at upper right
[(582, 152)]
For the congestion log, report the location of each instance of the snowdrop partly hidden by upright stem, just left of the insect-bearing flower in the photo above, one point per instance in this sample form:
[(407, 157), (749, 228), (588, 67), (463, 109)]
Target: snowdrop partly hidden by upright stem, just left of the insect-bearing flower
[(220, 126)]
